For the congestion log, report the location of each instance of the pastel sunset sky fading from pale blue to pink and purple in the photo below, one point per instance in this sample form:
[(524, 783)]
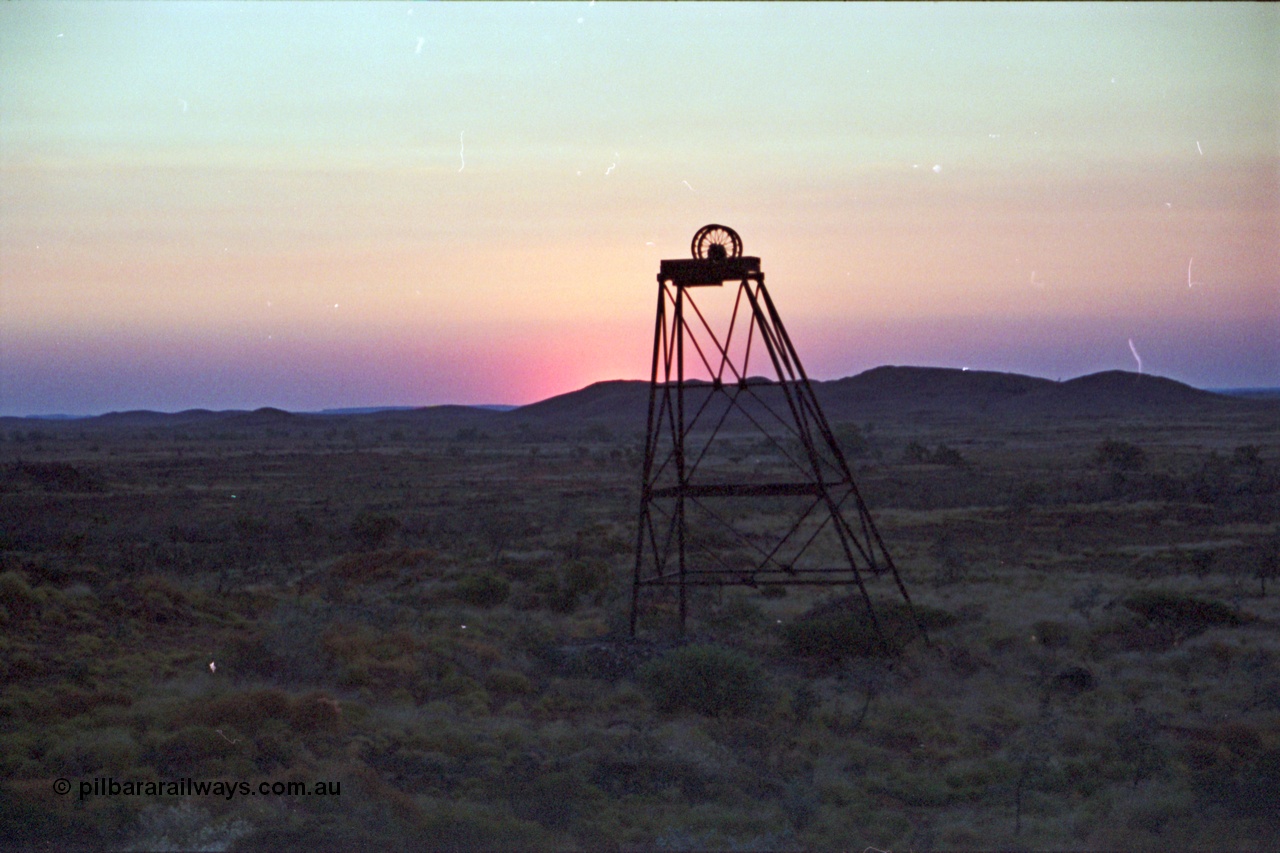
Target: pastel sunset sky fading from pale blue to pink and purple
[(317, 206)]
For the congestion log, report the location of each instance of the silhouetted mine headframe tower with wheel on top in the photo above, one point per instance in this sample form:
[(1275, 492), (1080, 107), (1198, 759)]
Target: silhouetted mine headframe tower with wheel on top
[(744, 482)]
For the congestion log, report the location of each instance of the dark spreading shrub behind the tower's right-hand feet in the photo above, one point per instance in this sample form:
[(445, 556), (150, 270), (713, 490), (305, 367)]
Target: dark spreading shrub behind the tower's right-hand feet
[(843, 630)]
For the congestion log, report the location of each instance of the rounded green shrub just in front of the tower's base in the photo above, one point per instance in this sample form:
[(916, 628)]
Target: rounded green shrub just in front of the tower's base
[(705, 679)]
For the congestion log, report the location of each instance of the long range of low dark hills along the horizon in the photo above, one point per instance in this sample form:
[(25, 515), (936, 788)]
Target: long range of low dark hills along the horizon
[(881, 394)]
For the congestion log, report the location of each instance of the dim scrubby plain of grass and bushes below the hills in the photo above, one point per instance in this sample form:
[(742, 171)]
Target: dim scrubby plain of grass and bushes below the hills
[(437, 619)]
